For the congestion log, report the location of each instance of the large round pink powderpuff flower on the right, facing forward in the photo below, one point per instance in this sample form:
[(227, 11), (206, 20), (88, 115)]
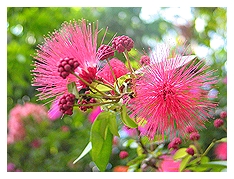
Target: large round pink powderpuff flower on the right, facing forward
[(169, 96)]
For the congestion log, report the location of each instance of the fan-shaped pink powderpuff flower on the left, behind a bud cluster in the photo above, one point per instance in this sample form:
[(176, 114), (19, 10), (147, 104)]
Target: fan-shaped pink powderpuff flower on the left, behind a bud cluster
[(74, 41)]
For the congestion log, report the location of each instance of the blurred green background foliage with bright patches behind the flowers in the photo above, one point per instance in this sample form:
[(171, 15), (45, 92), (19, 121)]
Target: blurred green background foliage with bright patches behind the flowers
[(203, 28)]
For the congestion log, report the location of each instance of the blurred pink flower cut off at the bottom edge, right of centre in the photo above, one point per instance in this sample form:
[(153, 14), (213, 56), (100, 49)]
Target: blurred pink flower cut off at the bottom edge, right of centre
[(168, 164)]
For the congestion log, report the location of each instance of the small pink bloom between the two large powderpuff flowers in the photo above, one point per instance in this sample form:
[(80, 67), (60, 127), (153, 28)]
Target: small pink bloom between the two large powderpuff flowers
[(118, 67)]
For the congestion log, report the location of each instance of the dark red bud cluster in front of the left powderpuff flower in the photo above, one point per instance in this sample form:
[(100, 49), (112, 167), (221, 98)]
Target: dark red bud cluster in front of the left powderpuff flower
[(66, 66)]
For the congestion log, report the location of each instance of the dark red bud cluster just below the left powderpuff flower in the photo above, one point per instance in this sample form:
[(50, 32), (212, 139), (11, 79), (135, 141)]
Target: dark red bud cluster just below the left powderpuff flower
[(66, 103)]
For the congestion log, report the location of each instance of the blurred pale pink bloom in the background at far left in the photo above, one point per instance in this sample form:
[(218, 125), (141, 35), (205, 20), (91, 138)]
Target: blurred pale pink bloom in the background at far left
[(17, 117)]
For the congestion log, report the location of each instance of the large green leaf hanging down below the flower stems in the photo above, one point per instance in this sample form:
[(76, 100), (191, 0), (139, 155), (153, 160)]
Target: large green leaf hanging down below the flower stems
[(101, 139)]
